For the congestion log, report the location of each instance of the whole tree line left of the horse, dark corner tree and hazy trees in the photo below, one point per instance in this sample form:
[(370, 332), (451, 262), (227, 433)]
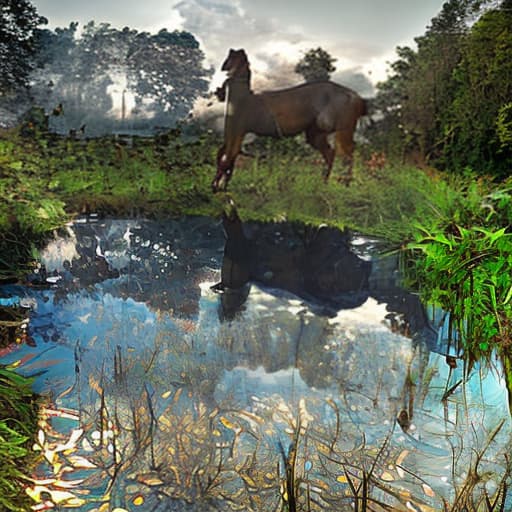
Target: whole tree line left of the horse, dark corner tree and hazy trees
[(154, 76)]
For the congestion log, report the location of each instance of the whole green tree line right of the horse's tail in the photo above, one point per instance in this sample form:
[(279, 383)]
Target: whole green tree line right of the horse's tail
[(449, 101)]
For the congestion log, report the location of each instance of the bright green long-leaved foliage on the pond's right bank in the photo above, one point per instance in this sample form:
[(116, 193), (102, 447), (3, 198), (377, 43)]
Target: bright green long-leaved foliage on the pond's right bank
[(463, 263)]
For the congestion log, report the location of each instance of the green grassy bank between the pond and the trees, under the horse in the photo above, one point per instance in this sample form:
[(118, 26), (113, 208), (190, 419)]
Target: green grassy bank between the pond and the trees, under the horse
[(45, 179)]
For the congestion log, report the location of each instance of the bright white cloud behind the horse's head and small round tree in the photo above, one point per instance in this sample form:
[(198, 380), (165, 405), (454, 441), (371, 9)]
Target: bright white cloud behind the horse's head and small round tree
[(273, 50)]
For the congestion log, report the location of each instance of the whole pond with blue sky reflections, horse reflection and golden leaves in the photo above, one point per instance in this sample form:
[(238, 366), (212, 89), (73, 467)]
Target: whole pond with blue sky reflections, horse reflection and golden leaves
[(282, 367)]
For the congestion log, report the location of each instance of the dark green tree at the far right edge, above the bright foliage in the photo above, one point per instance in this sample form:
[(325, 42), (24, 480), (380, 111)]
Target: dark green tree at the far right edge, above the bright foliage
[(476, 118)]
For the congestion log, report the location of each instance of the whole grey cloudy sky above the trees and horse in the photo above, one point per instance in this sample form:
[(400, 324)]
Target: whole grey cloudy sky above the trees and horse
[(361, 34)]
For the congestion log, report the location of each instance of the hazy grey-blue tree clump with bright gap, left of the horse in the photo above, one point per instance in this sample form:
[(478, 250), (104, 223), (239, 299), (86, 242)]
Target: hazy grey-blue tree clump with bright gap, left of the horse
[(93, 73)]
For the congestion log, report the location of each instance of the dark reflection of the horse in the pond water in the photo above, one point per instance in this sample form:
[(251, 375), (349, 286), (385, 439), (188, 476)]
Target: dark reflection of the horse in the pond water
[(317, 266)]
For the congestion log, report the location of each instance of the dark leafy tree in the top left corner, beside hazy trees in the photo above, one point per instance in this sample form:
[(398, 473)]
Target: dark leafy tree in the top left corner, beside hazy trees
[(18, 21)]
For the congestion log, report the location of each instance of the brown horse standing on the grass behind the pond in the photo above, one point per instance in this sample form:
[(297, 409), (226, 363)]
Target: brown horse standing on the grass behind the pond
[(316, 108)]
